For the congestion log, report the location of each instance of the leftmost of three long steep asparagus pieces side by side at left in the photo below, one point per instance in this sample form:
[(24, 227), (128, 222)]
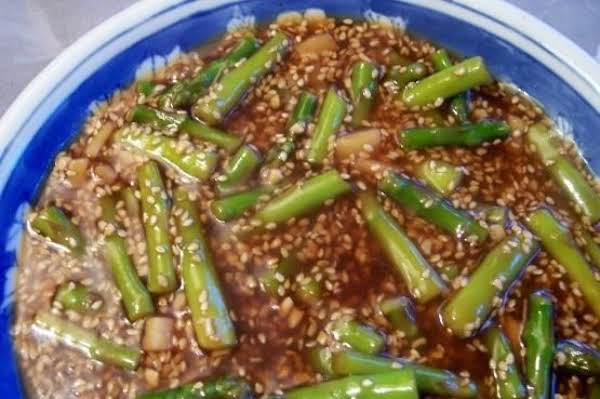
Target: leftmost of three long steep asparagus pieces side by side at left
[(136, 298)]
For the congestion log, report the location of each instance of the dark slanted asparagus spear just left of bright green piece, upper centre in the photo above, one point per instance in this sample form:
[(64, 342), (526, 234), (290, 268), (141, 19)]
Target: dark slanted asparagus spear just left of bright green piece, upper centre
[(302, 114)]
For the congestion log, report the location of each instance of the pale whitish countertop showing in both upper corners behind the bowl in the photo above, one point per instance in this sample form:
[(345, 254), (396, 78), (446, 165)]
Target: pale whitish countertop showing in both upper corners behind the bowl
[(33, 32)]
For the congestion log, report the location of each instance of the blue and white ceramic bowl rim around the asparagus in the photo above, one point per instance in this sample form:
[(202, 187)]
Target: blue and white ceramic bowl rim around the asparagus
[(518, 49)]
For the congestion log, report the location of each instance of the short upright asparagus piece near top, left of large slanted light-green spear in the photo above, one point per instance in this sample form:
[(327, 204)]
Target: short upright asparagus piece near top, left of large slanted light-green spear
[(363, 85)]
